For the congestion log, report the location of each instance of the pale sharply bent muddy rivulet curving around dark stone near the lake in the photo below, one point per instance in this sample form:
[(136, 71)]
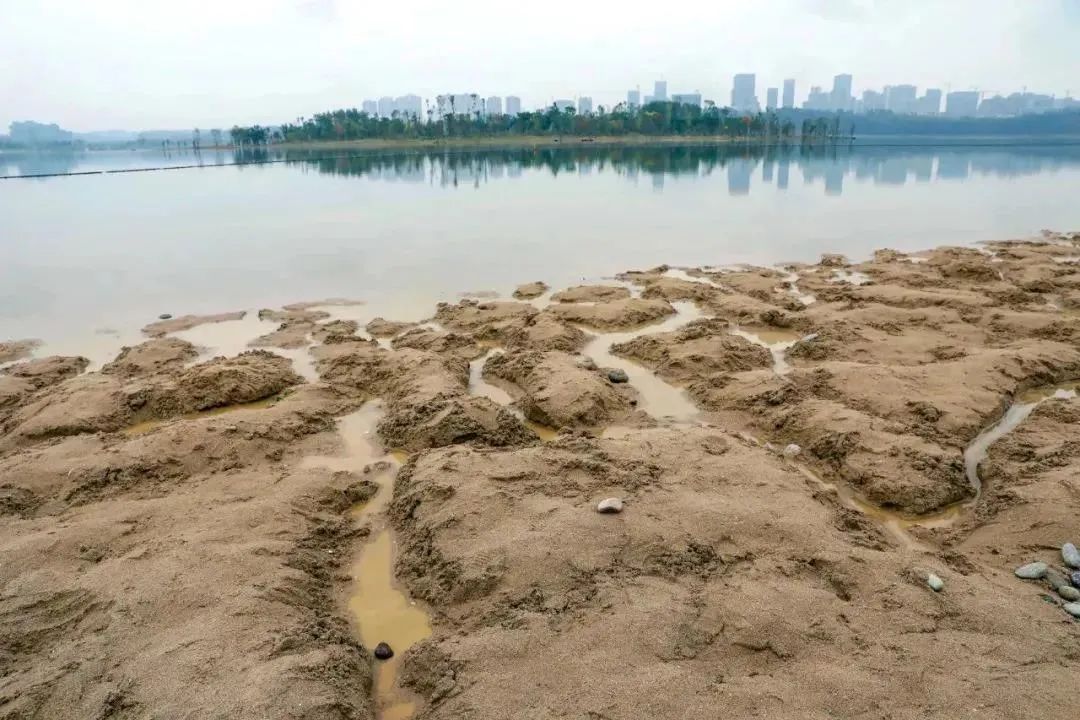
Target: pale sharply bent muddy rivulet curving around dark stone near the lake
[(658, 399)]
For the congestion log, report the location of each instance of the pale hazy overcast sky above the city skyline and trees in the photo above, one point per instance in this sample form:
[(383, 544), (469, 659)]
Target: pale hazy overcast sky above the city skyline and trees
[(150, 64)]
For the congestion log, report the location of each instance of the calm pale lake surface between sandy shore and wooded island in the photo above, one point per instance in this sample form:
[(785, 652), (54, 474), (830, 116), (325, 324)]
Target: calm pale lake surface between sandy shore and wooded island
[(87, 256)]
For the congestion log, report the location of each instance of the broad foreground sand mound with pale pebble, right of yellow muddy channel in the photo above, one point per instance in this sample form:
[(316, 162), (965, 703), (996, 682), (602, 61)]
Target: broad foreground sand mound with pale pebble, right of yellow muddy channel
[(695, 595)]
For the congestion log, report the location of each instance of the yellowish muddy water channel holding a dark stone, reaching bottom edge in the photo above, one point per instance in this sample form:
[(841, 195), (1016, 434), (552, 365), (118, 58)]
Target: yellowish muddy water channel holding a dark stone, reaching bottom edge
[(382, 612)]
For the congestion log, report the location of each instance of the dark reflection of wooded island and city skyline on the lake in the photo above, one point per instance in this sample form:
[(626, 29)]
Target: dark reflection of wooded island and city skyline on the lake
[(830, 168)]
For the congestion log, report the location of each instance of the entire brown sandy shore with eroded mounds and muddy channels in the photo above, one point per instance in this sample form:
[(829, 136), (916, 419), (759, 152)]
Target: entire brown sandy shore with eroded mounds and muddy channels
[(187, 536)]
